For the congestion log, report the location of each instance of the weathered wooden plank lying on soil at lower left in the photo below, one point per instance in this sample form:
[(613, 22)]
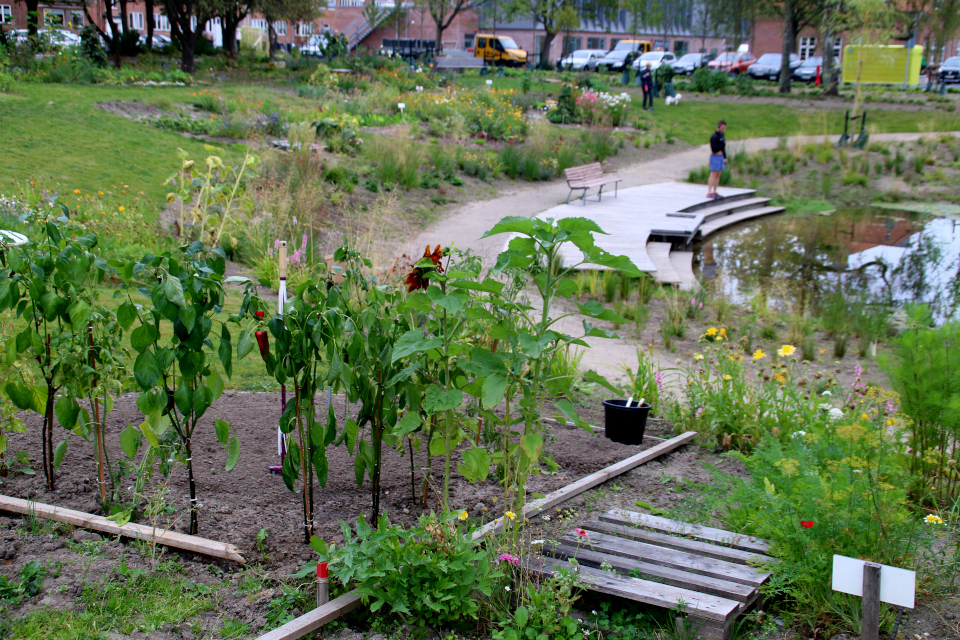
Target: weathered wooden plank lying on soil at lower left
[(130, 530)]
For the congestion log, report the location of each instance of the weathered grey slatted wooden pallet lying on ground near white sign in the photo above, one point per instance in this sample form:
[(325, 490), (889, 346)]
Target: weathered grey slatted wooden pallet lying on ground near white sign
[(713, 572)]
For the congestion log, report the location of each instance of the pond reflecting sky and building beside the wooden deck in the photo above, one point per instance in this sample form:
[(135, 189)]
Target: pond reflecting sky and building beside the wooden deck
[(881, 253)]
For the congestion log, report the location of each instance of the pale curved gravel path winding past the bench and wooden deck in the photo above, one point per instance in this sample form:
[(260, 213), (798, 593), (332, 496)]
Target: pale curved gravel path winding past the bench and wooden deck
[(464, 227)]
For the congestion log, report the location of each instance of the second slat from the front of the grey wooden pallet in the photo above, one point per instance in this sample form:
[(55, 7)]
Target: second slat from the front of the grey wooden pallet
[(745, 594)]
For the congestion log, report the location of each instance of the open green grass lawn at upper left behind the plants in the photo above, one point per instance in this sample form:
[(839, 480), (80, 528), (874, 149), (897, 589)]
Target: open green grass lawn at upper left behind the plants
[(55, 135)]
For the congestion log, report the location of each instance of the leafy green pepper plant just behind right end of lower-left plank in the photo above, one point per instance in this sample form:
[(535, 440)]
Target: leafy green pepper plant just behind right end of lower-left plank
[(179, 348)]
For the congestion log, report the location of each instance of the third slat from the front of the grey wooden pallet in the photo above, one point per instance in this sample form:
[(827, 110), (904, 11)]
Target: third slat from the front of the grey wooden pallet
[(684, 561)]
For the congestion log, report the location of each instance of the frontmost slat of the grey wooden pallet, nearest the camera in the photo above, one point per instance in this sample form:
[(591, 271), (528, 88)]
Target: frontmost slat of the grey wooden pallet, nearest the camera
[(700, 605)]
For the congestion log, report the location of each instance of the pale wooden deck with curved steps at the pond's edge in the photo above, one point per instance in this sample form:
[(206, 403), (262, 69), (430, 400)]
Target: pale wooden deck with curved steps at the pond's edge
[(654, 225)]
